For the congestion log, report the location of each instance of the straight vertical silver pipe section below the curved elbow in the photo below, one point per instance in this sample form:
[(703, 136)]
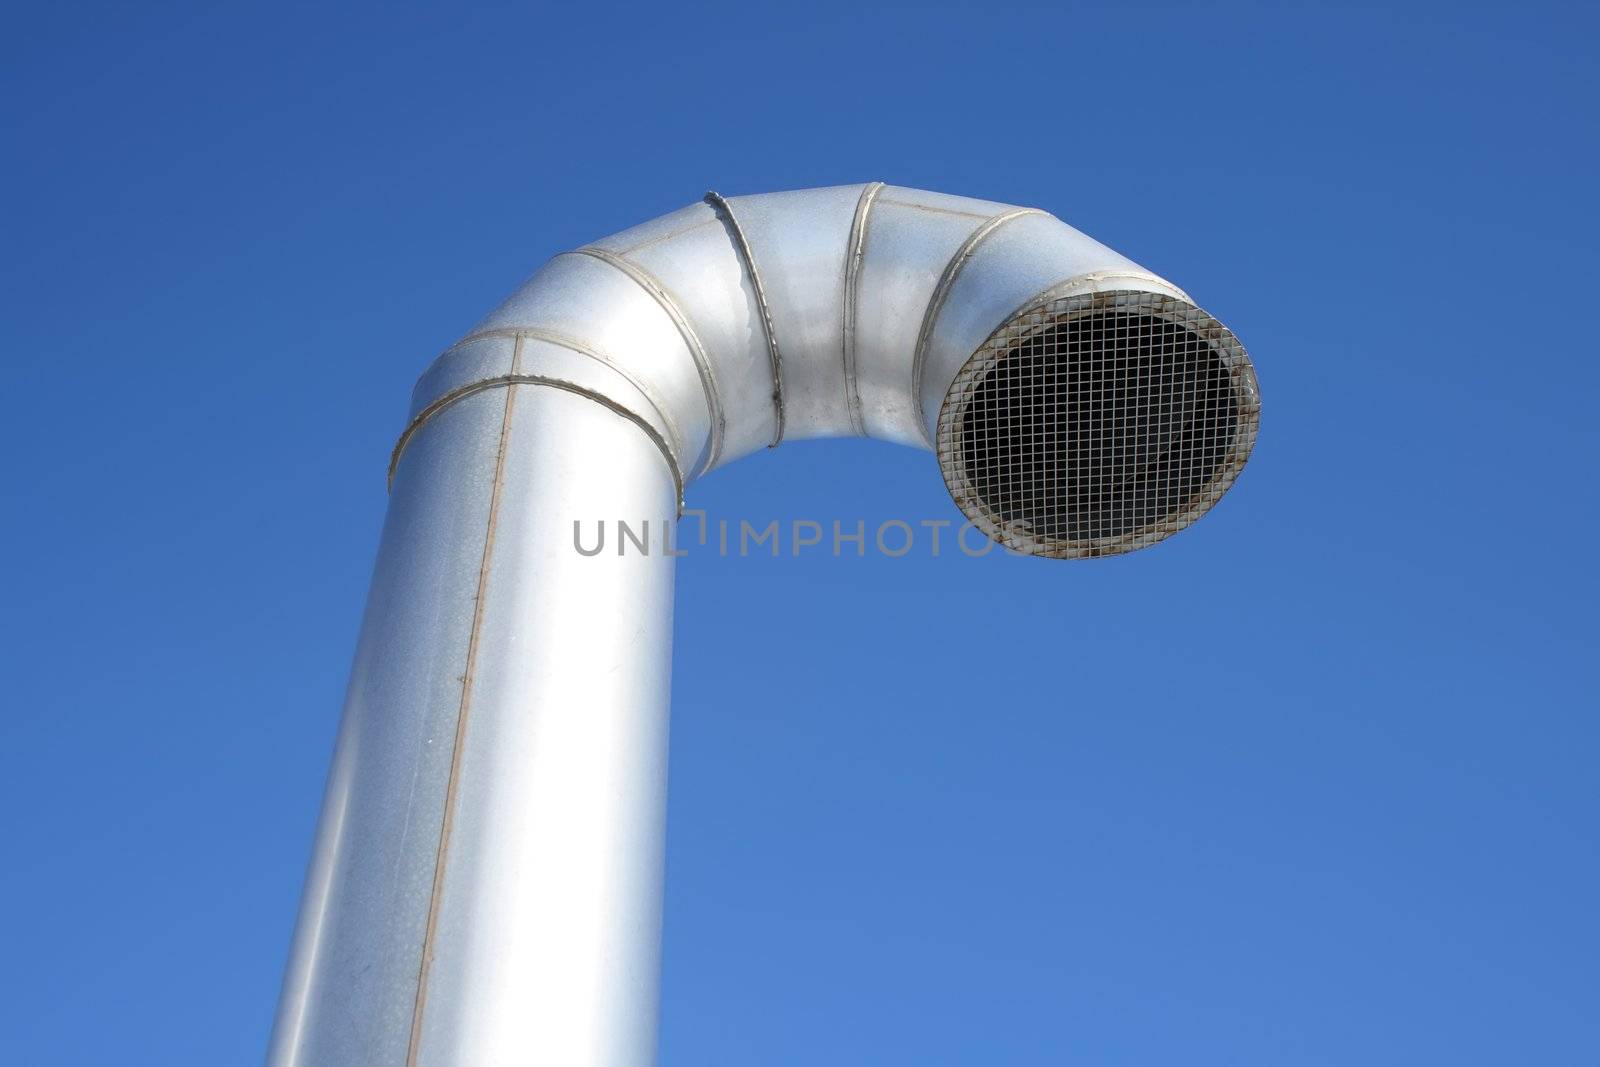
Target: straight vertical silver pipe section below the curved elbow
[(487, 876)]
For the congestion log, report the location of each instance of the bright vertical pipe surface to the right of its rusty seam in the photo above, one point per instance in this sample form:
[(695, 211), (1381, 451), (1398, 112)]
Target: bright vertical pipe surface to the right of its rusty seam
[(548, 924)]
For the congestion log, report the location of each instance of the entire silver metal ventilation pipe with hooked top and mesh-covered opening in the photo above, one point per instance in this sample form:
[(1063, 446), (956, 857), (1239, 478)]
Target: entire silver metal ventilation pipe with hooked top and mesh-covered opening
[(487, 877)]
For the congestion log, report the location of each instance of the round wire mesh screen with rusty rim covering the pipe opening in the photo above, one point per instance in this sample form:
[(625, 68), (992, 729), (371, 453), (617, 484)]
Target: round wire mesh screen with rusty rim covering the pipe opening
[(1097, 425)]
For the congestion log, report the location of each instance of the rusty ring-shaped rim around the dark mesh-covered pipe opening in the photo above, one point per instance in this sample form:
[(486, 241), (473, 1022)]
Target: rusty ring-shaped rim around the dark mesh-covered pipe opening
[(1050, 311)]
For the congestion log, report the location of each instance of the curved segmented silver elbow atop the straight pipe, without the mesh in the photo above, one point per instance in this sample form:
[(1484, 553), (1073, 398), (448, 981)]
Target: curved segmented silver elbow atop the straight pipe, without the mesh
[(735, 324)]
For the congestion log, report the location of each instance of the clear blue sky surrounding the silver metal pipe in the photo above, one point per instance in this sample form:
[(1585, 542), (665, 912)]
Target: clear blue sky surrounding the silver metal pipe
[(1313, 783)]
